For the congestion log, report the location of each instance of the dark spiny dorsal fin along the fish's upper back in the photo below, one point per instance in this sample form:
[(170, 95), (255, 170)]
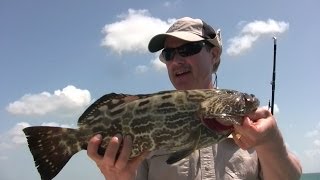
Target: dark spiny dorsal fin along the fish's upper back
[(109, 102)]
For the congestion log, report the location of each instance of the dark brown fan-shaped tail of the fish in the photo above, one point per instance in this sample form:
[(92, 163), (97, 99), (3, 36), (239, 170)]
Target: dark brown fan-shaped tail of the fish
[(51, 147)]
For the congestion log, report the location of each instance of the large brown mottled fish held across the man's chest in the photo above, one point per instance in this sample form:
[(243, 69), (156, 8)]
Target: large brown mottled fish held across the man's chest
[(176, 121)]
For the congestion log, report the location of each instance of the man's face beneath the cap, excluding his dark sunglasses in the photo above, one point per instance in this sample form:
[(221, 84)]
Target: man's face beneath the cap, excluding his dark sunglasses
[(191, 72)]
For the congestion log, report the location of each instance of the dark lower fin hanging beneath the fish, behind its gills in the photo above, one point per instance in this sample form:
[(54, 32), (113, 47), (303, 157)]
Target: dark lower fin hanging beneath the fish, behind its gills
[(179, 155)]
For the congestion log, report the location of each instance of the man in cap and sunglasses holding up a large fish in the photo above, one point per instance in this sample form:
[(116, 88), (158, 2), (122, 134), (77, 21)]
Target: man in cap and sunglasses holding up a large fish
[(191, 52)]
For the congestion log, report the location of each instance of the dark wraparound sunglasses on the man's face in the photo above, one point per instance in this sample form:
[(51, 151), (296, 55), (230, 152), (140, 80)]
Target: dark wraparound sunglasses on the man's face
[(185, 50)]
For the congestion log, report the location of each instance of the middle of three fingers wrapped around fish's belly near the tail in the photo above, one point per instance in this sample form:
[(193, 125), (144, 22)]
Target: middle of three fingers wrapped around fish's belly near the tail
[(112, 150)]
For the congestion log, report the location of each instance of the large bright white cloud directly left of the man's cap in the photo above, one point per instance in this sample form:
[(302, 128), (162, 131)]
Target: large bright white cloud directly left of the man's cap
[(133, 31)]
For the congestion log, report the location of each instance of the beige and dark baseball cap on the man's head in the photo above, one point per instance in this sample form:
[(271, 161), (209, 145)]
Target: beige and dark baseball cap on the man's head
[(190, 30)]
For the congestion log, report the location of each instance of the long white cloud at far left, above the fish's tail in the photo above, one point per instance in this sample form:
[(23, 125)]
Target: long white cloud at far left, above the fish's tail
[(67, 100)]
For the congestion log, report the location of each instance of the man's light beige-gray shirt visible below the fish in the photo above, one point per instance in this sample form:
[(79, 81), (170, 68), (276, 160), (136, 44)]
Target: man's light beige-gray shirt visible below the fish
[(224, 160)]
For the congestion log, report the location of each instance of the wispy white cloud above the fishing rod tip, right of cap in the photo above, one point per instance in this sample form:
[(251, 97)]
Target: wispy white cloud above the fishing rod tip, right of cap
[(251, 32)]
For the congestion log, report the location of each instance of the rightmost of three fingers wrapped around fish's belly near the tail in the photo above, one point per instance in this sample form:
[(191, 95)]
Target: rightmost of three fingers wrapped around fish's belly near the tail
[(125, 153)]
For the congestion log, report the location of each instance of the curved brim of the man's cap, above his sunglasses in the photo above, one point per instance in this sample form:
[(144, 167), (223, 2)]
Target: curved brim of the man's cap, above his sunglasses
[(157, 42)]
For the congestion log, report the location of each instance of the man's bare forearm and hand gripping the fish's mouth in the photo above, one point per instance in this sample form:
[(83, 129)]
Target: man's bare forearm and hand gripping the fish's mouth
[(259, 131)]
